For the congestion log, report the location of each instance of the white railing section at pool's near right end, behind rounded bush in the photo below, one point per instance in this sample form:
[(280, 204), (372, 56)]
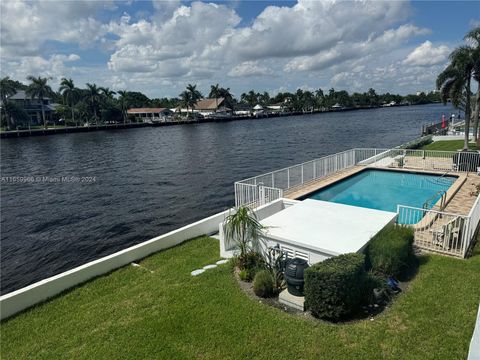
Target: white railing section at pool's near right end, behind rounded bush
[(438, 231)]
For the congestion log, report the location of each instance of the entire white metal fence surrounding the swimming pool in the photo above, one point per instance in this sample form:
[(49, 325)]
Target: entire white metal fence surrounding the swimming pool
[(265, 188)]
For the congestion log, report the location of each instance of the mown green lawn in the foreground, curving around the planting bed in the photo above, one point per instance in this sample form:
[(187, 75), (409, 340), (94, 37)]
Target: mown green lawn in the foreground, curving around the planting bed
[(135, 314)]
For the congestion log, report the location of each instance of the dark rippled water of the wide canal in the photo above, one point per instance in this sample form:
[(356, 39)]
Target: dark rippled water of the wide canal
[(149, 181)]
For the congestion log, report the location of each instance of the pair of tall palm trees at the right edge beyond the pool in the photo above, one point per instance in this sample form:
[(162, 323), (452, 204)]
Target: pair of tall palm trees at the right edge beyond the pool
[(455, 81)]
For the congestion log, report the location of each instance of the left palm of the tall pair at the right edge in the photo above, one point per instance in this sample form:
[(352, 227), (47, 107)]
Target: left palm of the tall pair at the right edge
[(454, 82)]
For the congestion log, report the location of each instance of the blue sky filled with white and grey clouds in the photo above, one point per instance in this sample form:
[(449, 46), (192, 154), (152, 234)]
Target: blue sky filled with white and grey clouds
[(159, 47)]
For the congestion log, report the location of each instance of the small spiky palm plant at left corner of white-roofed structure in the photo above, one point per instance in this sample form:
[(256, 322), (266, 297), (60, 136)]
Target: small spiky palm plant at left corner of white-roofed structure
[(244, 230)]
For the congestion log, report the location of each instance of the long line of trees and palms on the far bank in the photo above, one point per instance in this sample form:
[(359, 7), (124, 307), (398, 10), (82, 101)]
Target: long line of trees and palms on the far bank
[(96, 105)]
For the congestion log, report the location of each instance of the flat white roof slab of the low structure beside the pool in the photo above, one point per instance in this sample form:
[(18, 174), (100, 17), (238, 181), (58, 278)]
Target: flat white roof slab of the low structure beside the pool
[(327, 227)]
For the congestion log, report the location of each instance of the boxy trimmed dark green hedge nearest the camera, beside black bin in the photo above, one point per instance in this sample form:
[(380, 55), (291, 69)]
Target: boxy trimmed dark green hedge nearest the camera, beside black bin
[(334, 288)]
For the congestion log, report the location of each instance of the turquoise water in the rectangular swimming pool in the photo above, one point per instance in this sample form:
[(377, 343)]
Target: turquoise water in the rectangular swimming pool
[(384, 190)]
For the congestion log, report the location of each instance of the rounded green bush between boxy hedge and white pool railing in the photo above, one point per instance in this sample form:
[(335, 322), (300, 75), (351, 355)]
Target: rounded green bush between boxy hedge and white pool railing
[(390, 252)]
